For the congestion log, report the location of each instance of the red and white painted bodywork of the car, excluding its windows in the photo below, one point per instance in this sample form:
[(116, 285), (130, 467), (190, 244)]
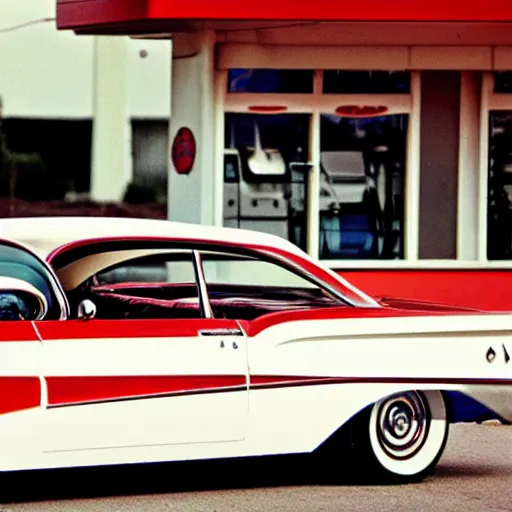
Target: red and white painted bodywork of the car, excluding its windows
[(85, 392)]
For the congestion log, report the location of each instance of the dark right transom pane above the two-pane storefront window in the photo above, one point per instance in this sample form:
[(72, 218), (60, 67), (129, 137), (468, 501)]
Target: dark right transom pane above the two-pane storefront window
[(366, 82)]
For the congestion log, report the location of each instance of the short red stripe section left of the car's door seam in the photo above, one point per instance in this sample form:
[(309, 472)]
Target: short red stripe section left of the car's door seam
[(19, 393)]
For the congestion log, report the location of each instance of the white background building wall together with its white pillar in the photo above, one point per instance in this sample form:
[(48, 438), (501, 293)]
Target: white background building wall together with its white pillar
[(51, 74)]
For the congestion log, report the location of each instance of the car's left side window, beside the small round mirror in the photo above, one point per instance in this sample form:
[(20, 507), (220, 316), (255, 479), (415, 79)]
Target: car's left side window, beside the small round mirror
[(150, 287)]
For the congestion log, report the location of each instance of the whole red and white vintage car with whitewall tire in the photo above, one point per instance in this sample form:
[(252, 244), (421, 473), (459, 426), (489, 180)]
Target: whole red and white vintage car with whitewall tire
[(133, 340)]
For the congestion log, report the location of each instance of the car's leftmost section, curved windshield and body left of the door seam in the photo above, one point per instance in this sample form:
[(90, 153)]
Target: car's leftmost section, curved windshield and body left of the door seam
[(28, 292)]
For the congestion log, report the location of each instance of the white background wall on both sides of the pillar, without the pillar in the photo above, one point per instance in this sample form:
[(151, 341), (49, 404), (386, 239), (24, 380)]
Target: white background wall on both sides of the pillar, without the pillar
[(45, 73)]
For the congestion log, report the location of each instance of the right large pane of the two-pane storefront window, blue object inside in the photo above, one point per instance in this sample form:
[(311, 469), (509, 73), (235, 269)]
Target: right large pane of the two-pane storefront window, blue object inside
[(361, 195)]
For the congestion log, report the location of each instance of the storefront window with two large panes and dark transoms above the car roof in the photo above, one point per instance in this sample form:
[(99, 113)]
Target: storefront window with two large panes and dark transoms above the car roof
[(359, 157)]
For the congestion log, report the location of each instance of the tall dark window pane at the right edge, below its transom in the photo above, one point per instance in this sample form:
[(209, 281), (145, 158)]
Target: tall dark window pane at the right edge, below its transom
[(499, 200)]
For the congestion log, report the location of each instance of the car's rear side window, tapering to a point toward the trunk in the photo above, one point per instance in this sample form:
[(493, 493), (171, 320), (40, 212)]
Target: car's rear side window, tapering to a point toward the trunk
[(243, 287)]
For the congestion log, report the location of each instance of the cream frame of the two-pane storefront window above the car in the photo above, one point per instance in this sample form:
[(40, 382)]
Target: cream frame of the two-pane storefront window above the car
[(315, 104)]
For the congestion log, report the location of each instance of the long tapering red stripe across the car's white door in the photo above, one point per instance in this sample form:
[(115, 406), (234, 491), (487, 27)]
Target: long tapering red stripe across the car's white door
[(76, 390)]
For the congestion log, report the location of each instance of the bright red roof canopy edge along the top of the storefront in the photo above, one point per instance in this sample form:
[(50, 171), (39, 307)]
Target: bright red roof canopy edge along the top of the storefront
[(146, 16)]
